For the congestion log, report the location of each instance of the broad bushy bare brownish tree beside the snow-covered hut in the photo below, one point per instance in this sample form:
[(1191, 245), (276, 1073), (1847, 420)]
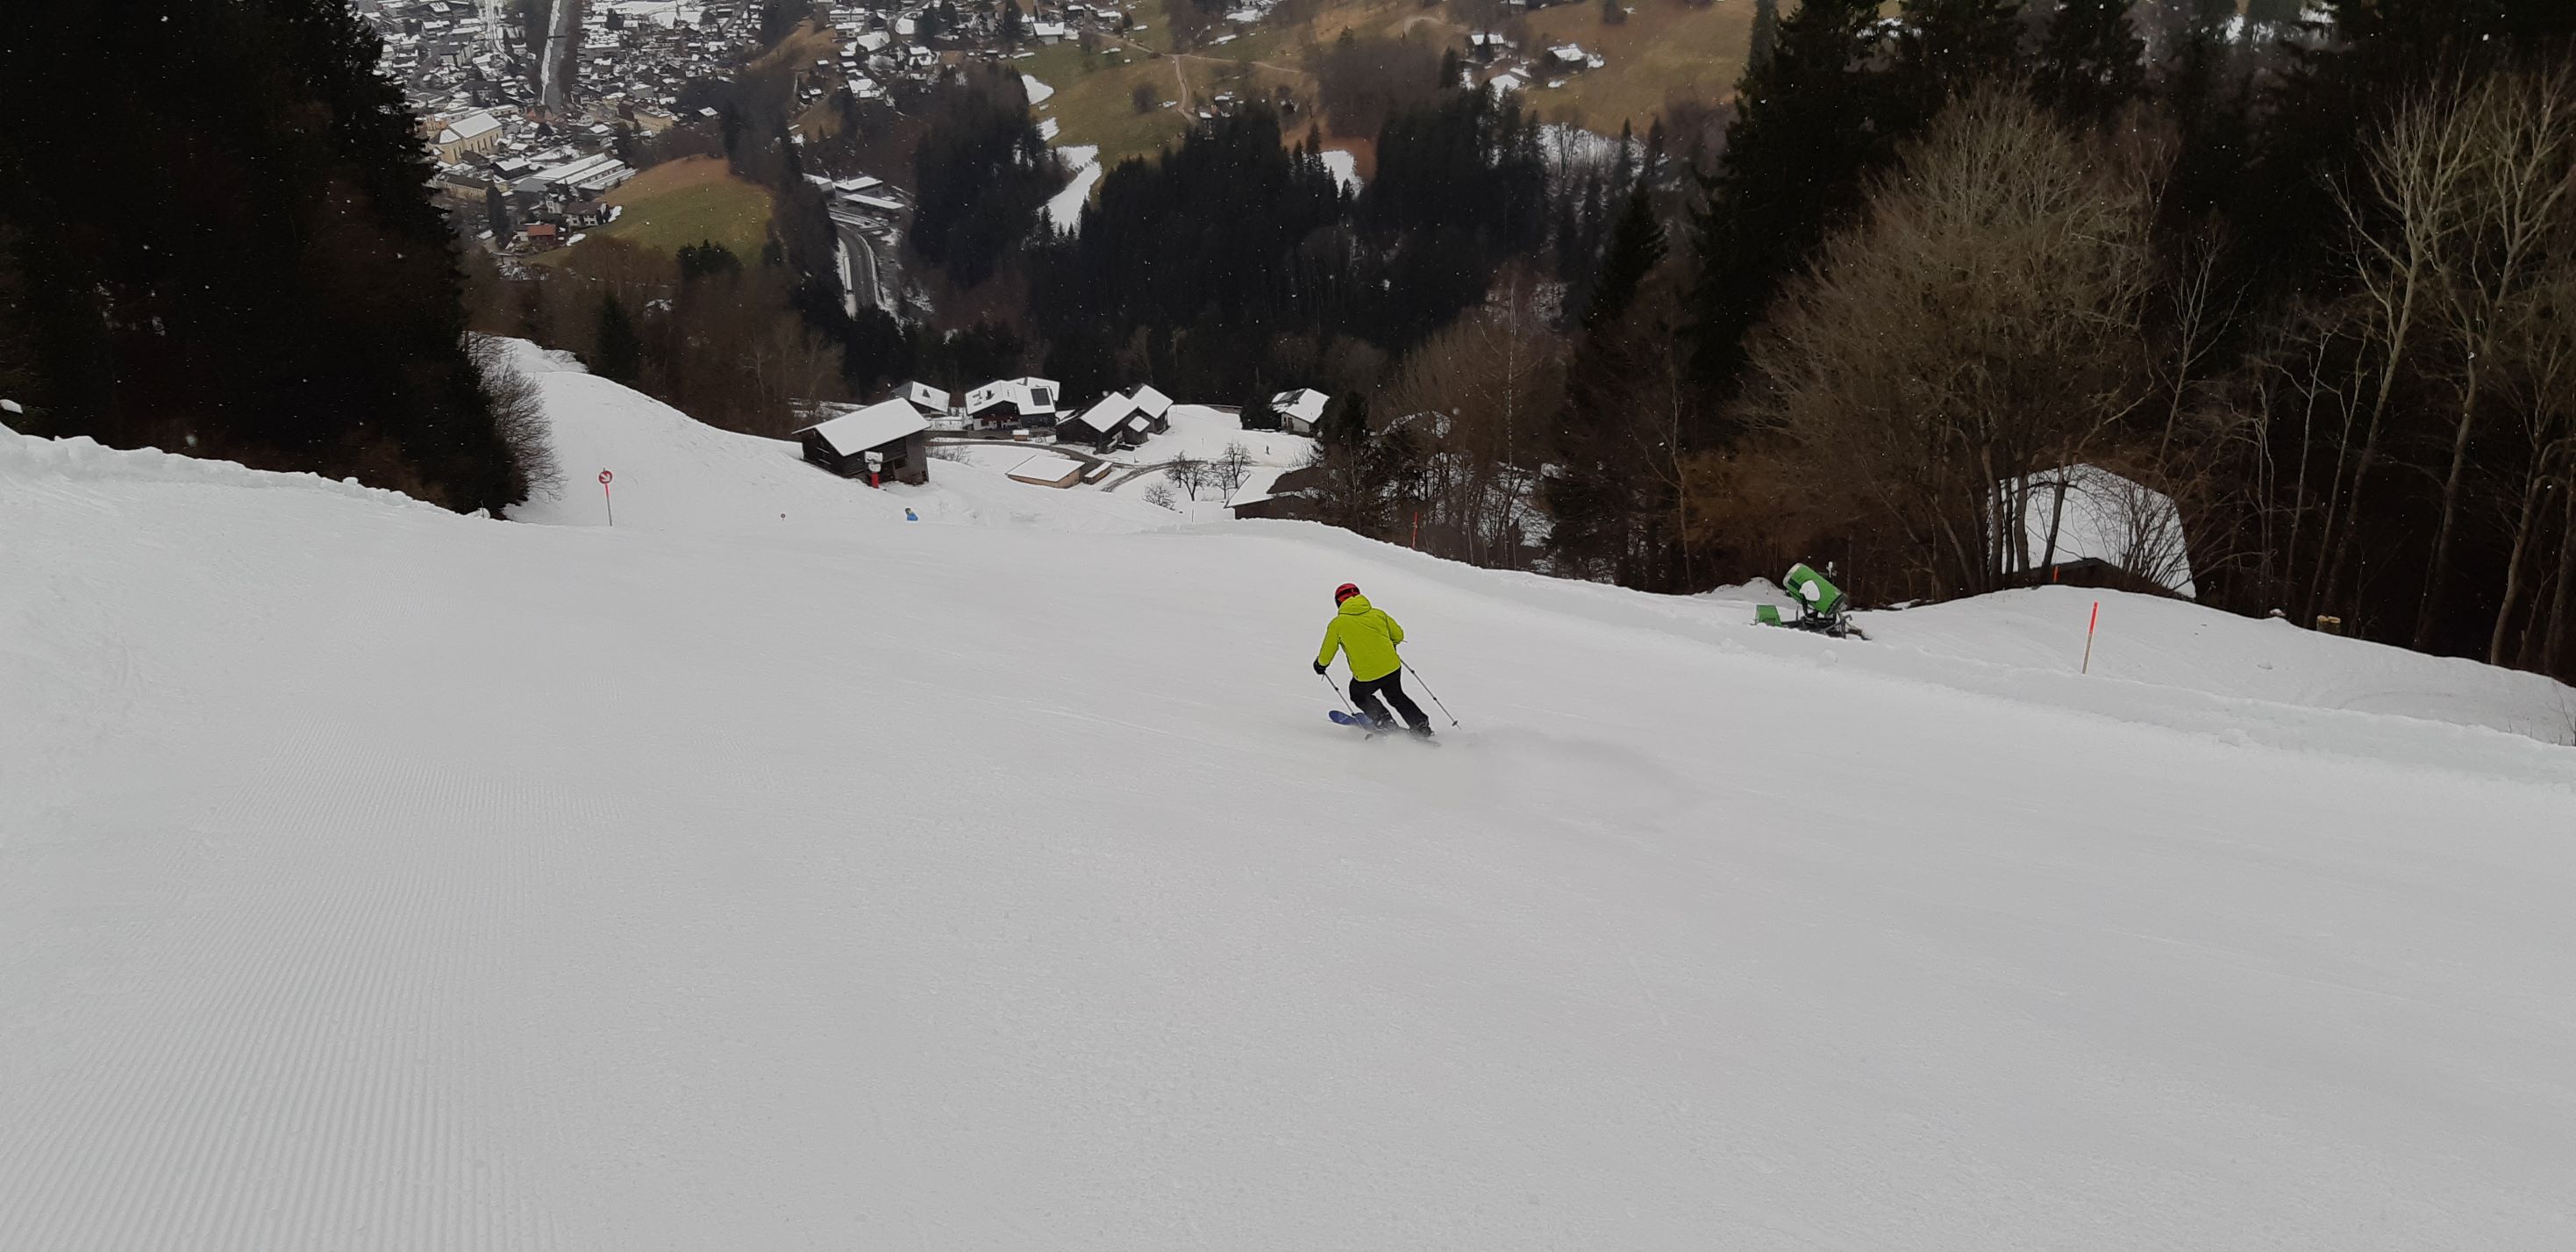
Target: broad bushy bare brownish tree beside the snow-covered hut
[(1980, 326)]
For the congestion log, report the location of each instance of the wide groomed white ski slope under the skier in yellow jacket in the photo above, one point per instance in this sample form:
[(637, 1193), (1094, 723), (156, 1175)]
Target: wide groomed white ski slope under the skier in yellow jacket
[(375, 877)]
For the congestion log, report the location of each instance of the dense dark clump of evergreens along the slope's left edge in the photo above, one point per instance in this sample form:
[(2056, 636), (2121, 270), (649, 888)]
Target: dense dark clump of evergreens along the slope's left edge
[(282, 292)]
